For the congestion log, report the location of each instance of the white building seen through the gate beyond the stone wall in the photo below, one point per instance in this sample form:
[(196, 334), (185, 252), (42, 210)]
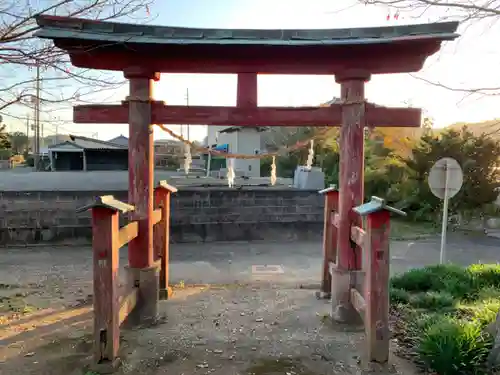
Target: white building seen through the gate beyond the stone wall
[(241, 140)]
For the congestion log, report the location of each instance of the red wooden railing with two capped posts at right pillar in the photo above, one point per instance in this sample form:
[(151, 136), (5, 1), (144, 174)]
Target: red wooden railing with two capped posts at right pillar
[(371, 299)]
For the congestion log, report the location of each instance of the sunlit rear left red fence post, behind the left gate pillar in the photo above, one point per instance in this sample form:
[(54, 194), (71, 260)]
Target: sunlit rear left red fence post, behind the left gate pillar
[(161, 232)]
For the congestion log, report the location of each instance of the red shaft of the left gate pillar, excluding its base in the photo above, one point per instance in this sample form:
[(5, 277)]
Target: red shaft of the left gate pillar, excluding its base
[(141, 164)]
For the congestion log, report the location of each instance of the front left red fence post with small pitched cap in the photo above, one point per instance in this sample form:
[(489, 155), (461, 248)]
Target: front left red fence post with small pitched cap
[(105, 249)]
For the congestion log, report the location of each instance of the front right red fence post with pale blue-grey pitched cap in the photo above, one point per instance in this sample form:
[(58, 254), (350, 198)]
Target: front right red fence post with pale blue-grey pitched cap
[(376, 250)]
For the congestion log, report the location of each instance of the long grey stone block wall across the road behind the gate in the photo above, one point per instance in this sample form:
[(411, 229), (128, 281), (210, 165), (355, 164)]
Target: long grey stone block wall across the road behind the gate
[(198, 215)]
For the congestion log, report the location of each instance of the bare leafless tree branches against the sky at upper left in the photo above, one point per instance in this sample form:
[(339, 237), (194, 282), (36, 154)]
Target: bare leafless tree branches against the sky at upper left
[(21, 52)]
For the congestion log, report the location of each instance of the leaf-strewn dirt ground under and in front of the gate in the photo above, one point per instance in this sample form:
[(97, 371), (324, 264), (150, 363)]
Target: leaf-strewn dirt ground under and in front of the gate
[(261, 329)]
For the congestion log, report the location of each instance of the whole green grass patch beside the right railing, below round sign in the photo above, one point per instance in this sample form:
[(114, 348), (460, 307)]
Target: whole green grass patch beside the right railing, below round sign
[(445, 312)]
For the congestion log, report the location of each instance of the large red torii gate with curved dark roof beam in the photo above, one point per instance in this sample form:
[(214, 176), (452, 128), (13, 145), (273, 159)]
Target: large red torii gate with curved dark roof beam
[(352, 55)]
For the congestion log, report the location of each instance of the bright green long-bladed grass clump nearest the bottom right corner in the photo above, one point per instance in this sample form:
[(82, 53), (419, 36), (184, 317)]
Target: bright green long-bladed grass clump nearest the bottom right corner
[(451, 347)]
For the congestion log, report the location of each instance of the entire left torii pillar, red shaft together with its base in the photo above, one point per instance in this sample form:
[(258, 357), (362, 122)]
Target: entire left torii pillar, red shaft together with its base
[(143, 271)]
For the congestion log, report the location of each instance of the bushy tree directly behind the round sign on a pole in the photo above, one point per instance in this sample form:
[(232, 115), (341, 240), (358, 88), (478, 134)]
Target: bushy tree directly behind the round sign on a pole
[(478, 157)]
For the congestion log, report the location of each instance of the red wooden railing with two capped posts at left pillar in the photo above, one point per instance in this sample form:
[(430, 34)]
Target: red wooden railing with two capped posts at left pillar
[(112, 304)]
